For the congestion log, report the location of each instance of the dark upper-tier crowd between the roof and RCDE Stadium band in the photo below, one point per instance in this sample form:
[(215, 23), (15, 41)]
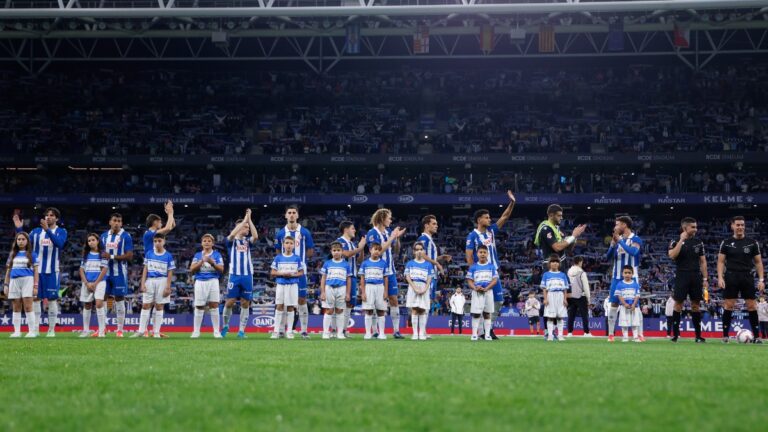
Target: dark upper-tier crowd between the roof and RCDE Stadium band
[(588, 110)]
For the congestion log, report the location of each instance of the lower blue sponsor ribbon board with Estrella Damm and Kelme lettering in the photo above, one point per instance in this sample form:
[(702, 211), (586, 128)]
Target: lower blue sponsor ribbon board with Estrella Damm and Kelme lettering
[(240, 199)]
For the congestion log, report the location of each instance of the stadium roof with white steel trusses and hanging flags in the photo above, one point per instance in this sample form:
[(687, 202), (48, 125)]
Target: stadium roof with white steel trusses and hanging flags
[(34, 34)]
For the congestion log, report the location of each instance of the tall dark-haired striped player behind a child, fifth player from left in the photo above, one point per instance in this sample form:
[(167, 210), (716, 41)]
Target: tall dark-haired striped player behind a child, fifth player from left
[(305, 248)]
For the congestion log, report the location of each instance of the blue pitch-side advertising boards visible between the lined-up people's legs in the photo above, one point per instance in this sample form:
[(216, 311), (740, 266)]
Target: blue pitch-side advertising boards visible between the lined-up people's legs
[(503, 325)]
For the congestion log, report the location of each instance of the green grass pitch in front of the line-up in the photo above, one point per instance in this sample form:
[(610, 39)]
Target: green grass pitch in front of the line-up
[(448, 383)]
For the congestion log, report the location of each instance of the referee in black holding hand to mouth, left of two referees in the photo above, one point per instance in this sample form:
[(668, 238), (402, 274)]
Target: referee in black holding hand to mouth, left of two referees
[(690, 276)]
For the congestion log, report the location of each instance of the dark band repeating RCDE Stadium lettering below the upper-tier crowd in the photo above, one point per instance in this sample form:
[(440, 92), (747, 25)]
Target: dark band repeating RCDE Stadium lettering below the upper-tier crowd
[(409, 159)]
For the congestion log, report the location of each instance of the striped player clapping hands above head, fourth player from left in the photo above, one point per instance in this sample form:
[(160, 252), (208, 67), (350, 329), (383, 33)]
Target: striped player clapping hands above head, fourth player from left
[(240, 286)]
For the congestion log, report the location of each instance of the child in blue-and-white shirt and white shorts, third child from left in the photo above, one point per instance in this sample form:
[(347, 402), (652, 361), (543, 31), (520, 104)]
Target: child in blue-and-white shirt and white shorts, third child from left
[(156, 284)]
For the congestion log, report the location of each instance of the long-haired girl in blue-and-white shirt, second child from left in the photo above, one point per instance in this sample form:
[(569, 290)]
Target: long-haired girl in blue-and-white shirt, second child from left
[(93, 272)]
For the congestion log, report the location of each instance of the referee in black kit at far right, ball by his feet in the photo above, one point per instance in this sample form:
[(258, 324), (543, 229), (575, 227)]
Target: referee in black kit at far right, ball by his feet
[(739, 254)]
